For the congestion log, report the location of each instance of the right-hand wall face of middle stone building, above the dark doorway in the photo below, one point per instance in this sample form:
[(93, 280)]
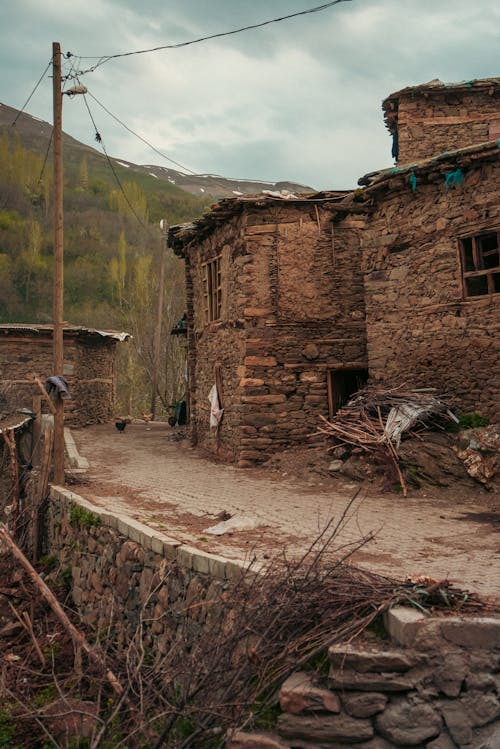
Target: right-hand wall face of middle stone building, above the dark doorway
[(304, 314)]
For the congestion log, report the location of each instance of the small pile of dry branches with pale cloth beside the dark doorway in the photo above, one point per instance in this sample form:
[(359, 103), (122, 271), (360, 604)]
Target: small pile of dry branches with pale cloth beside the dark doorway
[(375, 419)]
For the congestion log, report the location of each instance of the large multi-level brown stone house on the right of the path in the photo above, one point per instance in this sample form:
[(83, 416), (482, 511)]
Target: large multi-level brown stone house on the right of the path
[(295, 301)]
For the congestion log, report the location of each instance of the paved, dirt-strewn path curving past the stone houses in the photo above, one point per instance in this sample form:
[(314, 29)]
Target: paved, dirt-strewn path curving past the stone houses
[(148, 475)]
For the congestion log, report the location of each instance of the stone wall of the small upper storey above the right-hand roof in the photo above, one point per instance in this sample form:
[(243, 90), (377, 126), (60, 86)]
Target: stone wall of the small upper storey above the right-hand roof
[(439, 122)]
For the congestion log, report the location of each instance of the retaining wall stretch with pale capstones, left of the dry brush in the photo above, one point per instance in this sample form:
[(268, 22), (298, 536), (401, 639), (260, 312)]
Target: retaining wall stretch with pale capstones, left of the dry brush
[(122, 569)]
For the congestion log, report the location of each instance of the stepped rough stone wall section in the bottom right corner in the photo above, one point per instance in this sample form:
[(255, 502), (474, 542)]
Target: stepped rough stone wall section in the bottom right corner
[(436, 685)]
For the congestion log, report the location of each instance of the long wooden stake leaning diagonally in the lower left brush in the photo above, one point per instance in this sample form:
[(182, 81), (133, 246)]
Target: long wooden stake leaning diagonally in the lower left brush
[(77, 636)]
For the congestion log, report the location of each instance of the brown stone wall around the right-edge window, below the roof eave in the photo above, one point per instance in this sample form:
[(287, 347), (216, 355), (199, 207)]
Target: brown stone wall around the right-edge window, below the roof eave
[(420, 329)]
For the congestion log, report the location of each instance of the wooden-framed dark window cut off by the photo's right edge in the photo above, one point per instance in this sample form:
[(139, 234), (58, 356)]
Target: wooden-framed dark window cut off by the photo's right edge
[(481, 264)]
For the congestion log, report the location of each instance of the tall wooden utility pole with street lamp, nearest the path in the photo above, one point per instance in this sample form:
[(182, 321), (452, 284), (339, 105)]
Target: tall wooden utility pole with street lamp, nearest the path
[(58, 278)]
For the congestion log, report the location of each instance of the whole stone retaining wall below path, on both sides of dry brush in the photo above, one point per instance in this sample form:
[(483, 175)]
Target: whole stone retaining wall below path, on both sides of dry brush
[(435, 684)]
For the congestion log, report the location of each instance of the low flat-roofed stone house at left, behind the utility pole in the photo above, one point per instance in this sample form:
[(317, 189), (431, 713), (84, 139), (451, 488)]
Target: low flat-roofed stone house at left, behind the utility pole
[(88, 368)]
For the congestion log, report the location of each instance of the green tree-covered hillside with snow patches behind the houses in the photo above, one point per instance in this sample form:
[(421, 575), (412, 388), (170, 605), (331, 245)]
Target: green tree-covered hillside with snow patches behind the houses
[(112, 245)]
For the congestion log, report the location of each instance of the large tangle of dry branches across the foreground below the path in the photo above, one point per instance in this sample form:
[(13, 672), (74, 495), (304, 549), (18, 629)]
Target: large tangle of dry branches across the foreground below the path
[(222, 674)]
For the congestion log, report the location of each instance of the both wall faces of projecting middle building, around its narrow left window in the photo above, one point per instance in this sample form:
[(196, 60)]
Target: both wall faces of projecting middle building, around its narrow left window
[(292, 307)]
